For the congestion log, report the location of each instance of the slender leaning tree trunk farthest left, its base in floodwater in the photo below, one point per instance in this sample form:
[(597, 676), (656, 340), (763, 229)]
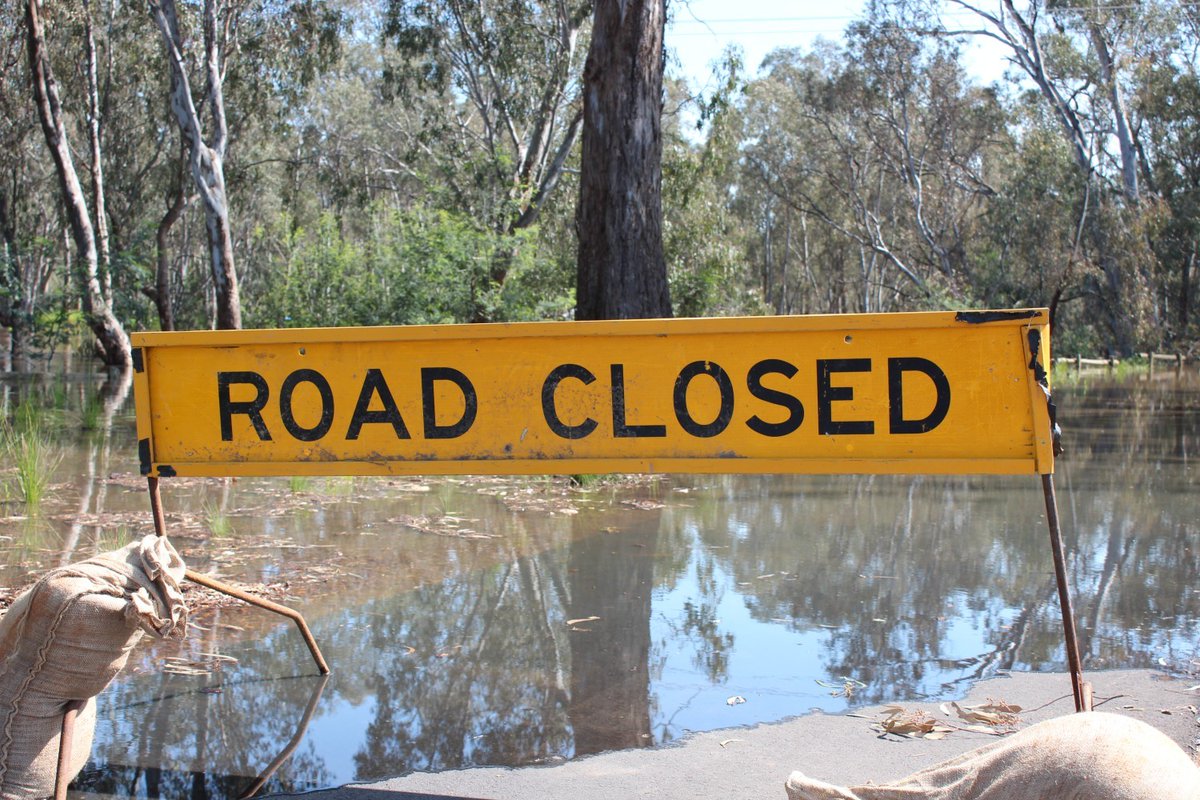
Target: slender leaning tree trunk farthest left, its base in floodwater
[(111, 339)]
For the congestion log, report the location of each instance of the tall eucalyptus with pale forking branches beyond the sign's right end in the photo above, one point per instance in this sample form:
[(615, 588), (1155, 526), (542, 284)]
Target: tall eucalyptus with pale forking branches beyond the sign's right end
[(1083, 61)]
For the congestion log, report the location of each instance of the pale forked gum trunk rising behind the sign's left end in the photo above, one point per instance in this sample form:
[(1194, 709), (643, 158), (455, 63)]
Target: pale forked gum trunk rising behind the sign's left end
[(207, 159)]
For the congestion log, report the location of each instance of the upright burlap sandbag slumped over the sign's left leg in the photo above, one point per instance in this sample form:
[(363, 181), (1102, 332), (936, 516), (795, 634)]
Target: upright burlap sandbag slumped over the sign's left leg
[(64, 640)]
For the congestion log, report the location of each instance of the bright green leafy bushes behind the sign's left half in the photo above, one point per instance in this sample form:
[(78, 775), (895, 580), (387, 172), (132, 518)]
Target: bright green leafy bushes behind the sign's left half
[(416, 267)]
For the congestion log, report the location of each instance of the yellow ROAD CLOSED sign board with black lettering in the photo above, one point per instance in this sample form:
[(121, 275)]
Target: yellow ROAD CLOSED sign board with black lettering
[(916, 393)]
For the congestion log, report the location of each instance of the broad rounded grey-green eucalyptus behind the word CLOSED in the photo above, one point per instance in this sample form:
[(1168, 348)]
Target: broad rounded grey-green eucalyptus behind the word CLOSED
[(883, 147)]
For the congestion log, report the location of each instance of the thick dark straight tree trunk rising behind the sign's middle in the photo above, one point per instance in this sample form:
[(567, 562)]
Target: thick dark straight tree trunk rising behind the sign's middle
[(622, 273)]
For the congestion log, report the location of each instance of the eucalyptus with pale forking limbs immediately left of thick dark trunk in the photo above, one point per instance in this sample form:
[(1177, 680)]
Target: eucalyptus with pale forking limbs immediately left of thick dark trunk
[(491, 92)]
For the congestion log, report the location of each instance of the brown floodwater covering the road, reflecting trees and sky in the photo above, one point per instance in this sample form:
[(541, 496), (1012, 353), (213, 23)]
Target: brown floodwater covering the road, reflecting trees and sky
[(525, 622)]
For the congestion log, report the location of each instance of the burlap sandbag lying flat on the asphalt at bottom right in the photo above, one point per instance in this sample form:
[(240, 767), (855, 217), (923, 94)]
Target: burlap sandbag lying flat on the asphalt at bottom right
[(1079, 757)]
